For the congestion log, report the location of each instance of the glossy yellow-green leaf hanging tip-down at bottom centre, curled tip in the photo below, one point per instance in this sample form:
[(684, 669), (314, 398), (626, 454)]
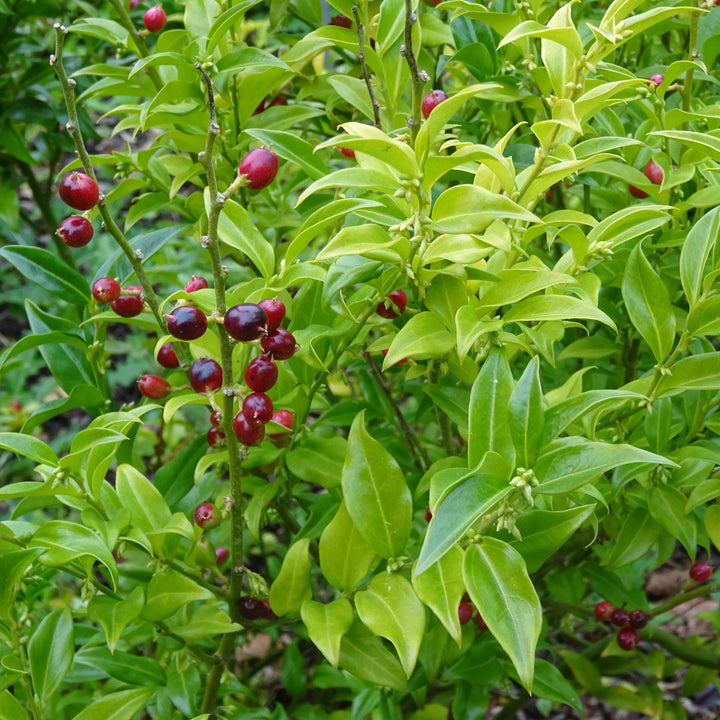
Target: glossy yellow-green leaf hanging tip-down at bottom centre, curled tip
[(391, 609)]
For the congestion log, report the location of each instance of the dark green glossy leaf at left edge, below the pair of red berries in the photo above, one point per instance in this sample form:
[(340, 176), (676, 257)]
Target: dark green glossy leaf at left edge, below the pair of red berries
[(50, 273)]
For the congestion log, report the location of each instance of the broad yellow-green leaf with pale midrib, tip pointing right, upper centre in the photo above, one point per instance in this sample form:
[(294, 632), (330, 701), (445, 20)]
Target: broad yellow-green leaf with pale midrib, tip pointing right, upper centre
[(471, 208)]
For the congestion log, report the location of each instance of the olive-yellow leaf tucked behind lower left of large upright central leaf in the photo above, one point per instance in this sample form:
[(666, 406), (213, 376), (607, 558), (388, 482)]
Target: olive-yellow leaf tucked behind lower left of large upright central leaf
[(345, 556)]
